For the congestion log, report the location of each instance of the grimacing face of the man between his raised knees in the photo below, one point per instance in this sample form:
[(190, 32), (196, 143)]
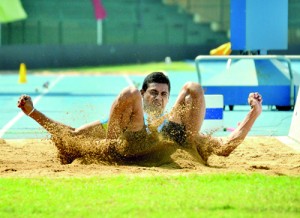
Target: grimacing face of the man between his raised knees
[(155, 98)]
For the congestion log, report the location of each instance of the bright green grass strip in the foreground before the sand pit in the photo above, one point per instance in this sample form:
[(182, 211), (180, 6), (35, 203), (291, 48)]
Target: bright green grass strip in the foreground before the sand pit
[(228, 195)]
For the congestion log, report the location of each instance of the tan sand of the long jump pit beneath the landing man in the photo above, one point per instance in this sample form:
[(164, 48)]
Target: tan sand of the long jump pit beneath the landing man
[(38, 158)]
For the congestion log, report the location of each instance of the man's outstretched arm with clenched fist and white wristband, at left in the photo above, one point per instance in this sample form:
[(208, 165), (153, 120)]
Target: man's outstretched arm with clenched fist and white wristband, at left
[(94, 129)]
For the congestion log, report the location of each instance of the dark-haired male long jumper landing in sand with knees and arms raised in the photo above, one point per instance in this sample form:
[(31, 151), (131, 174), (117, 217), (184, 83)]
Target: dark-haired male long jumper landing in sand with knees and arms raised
[(138, 115)]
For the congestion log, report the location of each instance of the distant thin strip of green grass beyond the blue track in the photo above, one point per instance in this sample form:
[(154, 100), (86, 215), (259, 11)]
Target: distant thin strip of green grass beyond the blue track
[(133, 68)]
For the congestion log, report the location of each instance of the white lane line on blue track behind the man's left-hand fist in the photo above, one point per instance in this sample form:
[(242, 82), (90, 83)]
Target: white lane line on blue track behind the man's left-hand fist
[(21, 114)]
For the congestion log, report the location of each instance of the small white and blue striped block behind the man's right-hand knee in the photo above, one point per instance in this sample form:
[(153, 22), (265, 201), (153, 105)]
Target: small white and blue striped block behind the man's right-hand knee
[(213, 120)]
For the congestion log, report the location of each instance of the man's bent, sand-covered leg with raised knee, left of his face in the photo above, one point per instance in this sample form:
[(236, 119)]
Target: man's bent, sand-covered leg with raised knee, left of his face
[(127, 120)]
